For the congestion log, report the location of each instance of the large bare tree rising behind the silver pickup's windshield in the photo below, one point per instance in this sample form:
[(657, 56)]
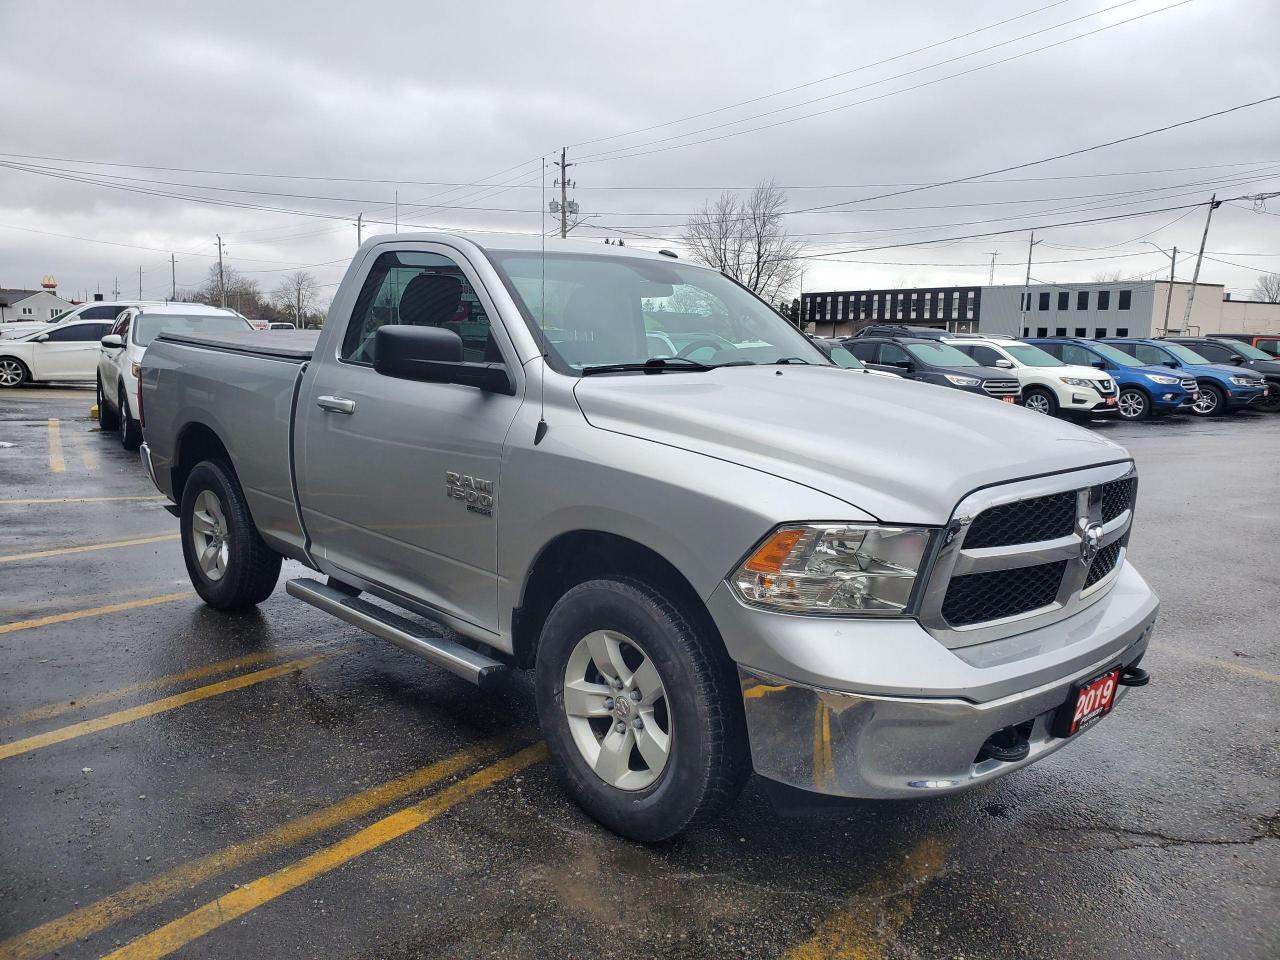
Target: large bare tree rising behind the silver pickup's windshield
[(747, 239)]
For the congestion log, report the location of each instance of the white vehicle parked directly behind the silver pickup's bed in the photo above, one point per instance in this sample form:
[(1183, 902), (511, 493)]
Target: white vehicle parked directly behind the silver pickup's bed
[(121, 353)]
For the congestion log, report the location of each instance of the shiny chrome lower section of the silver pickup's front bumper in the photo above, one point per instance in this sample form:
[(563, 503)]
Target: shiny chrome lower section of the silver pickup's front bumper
[(867, 746)]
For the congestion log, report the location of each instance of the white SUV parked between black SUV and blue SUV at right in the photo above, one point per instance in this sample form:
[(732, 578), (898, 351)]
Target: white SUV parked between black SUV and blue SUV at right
[(1049, 386)]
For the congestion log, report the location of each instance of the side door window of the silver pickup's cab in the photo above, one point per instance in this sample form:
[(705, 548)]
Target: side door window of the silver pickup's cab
[(419, 290)]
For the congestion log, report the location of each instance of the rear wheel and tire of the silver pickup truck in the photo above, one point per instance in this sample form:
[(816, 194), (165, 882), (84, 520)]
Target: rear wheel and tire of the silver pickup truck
[(244, 570)]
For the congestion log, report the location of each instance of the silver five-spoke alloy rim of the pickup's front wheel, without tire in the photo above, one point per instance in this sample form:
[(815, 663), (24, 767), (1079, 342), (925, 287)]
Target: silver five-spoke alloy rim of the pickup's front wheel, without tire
[(616, 706)]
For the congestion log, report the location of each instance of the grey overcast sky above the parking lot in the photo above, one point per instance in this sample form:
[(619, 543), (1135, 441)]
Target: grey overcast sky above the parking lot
[(414, 98)]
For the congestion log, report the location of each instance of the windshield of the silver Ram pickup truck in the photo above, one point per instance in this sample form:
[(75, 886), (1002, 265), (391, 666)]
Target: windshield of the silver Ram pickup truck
[(596, 312)]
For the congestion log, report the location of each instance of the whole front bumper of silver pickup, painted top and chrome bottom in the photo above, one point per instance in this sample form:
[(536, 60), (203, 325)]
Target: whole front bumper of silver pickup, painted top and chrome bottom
[(924, 738)]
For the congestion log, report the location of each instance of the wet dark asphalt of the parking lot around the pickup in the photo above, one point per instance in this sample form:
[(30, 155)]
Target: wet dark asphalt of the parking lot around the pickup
[(221, 822)]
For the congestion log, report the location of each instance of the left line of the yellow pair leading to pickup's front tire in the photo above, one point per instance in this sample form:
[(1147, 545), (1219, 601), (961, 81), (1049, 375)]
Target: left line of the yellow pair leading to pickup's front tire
[(143, 895)]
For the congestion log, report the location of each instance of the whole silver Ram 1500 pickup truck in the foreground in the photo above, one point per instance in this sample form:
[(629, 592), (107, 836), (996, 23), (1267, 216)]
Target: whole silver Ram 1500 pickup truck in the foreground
[(716, 548)]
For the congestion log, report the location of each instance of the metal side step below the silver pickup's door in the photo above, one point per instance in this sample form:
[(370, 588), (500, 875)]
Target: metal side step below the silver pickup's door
[(459, 660)]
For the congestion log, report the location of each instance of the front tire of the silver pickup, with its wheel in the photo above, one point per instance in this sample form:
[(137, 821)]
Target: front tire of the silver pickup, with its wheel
[(700, 711)]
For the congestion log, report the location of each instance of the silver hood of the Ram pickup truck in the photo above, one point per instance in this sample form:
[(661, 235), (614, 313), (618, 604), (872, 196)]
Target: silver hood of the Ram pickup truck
[(902, 451)]
